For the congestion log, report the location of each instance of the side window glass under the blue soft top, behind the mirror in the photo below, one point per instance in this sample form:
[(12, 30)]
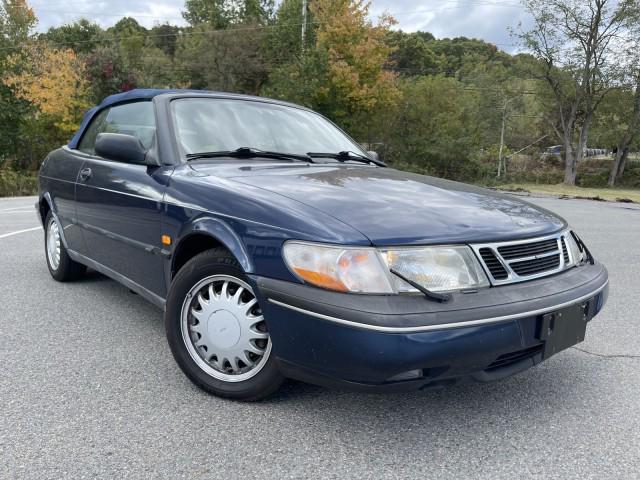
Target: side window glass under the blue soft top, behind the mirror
[(136, 119)]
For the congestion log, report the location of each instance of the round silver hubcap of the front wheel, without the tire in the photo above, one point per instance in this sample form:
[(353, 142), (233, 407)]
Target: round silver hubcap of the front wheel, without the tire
[(224, 330)]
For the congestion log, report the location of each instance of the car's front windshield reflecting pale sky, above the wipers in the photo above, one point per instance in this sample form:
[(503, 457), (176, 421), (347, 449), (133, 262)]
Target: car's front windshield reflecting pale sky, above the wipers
[(214, 124)]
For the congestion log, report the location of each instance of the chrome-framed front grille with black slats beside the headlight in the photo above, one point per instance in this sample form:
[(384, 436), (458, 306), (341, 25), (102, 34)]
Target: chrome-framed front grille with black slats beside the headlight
[(517, 261)]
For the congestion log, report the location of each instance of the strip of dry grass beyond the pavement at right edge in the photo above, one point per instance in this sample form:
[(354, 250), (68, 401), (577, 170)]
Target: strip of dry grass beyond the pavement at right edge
[(565, 191)]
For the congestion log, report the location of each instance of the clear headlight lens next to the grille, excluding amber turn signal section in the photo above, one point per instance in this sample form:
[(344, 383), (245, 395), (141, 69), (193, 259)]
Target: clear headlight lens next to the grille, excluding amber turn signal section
[(436, 268)]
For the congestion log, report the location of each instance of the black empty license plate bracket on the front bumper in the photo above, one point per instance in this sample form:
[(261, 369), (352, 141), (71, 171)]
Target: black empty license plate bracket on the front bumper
[(564, 328)]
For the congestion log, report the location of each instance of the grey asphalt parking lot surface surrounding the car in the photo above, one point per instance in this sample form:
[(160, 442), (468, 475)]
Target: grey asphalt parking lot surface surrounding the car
[(89, 389)]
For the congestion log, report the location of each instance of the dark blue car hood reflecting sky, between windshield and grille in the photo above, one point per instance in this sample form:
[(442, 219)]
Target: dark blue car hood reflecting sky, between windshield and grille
[(391, 207)]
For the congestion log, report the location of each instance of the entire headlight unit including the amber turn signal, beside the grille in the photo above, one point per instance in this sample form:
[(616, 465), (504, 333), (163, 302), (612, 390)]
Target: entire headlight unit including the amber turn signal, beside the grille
[(367, 270)]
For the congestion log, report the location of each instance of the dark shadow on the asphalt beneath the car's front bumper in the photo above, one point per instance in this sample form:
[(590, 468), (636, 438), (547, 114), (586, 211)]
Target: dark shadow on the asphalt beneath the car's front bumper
[(556, 385)]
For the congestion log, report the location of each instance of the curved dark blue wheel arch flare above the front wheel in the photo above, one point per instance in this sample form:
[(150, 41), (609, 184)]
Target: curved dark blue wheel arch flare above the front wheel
[(219, 230)]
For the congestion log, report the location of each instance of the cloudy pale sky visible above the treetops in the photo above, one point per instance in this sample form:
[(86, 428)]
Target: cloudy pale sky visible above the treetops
[(485, 19)]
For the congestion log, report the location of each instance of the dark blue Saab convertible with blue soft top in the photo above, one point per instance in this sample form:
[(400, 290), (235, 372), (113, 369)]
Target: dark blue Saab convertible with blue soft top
[(278, 248)]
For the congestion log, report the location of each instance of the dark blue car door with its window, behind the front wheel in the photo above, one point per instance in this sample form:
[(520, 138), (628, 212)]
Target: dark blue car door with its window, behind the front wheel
[(119, 203)]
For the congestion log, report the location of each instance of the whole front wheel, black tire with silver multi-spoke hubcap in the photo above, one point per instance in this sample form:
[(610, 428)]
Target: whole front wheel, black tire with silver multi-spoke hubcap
[(209, 307)]
